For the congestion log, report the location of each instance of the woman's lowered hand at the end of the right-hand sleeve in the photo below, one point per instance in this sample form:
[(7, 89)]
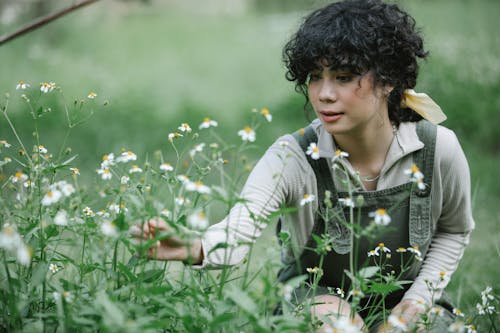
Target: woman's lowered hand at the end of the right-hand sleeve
[(408, 313)]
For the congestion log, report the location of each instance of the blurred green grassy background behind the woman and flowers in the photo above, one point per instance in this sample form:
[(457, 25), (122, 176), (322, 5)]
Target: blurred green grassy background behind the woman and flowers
[(159, 63)]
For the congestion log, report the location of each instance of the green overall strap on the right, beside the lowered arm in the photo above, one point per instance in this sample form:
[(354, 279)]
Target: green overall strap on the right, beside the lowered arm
[(420, 200)]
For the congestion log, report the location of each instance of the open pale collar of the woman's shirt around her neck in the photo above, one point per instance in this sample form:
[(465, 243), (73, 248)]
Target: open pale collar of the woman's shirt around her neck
[(405, 142)]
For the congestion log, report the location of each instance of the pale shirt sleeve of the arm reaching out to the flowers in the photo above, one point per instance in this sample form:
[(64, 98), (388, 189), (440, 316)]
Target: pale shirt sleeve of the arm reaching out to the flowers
[(265, 192)]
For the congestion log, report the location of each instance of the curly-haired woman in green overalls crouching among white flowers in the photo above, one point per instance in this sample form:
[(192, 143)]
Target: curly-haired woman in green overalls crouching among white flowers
[(356, 64)]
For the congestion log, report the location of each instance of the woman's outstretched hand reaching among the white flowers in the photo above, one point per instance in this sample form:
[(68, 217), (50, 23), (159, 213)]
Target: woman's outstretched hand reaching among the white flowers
[(170, 247)]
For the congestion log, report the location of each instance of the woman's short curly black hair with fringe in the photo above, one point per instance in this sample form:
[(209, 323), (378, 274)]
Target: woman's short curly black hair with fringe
[(361, 36)]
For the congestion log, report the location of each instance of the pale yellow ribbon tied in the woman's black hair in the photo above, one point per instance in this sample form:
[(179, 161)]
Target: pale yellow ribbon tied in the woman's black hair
[(423, 105)]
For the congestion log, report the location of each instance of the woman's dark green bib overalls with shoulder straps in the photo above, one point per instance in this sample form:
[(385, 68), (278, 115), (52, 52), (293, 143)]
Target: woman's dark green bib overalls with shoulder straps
[(408, 207)]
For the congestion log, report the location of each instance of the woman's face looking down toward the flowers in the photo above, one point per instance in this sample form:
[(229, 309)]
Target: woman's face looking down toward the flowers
[(347, 103)]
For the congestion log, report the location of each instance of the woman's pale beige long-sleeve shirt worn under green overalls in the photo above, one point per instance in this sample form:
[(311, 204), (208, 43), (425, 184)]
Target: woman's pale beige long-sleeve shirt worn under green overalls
[(283, 175)]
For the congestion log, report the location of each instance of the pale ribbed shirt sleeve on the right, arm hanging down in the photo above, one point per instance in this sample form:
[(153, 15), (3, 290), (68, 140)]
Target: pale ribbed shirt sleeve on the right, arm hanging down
[(454, 223)]
